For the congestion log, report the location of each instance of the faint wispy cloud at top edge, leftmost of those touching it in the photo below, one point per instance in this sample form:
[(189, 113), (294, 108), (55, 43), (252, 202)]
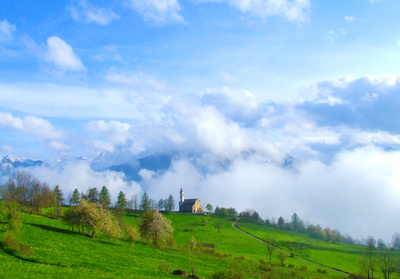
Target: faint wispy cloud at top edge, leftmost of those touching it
[(82, 10)]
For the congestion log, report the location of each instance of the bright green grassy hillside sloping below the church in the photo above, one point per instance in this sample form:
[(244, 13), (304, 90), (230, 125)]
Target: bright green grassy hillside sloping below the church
[(59, 253)]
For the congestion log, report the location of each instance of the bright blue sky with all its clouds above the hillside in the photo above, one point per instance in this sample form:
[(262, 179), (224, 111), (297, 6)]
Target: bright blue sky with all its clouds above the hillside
[(275, 105)]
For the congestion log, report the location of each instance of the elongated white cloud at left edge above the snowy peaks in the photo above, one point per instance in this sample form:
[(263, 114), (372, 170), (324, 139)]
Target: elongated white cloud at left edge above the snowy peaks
[(39, 128)]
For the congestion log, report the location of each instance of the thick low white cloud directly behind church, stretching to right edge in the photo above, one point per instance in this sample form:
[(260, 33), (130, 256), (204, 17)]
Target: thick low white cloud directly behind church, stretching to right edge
[(358, 193)]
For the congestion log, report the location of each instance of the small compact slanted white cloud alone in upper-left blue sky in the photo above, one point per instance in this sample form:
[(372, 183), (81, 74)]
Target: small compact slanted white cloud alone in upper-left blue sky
[(62, 55)]
